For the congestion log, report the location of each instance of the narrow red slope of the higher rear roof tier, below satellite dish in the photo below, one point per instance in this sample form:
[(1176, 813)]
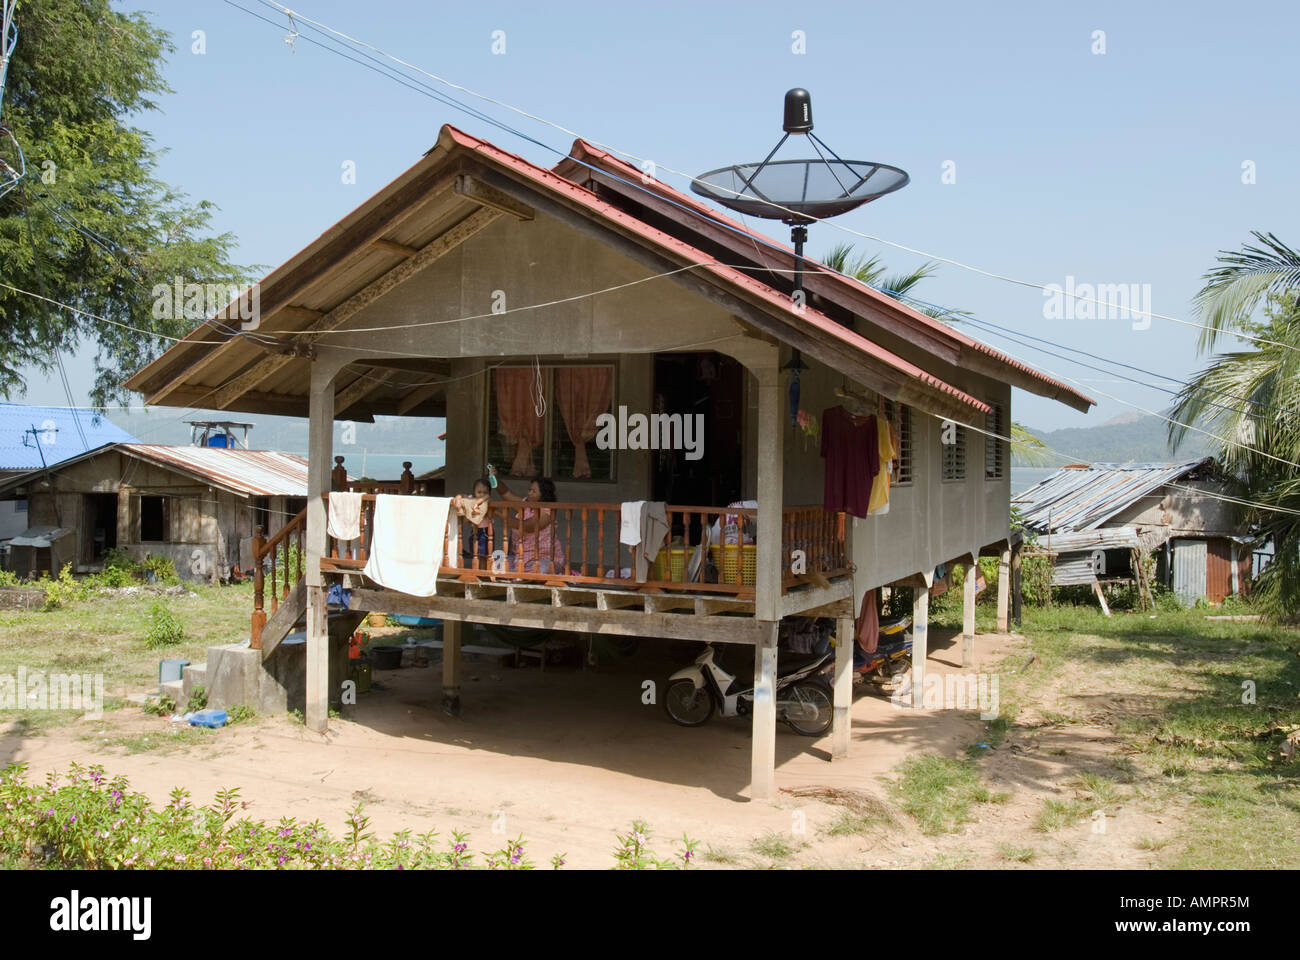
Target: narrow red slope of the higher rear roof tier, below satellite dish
[(586, 152)]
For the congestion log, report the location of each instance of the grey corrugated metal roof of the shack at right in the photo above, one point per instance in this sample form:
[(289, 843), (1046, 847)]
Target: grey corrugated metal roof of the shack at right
[(1084, 499)]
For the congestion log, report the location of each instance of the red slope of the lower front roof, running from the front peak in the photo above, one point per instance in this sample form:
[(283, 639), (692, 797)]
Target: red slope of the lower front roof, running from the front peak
[(557, 184)]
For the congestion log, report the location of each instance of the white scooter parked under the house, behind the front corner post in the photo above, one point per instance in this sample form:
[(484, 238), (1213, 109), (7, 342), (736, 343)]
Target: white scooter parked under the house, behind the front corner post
[(804, 698)]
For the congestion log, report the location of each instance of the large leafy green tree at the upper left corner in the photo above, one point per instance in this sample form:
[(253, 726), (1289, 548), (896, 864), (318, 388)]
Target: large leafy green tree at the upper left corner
[(89, 224)]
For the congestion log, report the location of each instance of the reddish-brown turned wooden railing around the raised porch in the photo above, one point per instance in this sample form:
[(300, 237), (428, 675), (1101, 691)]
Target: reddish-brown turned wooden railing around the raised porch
[(580, 544)]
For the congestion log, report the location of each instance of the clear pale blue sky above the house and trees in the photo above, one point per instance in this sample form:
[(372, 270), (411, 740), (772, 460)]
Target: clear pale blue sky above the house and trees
[(1124, 167)]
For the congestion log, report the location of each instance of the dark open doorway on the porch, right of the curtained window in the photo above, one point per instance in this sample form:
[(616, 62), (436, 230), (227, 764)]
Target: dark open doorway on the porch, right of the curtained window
[(712, 386)]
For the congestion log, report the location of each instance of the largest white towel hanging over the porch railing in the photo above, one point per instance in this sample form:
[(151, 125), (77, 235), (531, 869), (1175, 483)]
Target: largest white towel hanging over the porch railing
[(409, 543)]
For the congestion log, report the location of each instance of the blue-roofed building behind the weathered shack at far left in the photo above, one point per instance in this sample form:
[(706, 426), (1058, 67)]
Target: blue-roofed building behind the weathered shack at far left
[(32, 438)]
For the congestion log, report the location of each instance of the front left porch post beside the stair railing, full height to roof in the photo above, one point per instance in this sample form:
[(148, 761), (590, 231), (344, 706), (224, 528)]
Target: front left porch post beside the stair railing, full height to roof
[(320, 440)]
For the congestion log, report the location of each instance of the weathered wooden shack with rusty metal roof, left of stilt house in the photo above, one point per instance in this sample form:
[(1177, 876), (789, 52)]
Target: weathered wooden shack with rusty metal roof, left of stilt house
[(196, 505)]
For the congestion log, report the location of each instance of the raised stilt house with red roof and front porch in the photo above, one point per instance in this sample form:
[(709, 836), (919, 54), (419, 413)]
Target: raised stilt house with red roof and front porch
[(525, 305)]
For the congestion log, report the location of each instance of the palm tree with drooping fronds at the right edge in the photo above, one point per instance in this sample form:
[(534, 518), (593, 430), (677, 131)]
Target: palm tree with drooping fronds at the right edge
[(1249, 401)]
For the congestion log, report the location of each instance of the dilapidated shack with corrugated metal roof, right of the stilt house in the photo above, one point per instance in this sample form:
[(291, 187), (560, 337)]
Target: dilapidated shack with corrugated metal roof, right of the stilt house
[(1099, 521)]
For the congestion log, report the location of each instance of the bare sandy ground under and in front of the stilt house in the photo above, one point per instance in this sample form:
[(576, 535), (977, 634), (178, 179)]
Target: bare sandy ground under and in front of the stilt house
[(569, 758)]
